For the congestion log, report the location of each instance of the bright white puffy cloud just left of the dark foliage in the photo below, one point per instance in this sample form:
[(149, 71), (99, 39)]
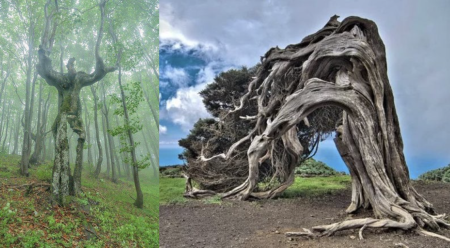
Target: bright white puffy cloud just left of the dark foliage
[(186, 107)]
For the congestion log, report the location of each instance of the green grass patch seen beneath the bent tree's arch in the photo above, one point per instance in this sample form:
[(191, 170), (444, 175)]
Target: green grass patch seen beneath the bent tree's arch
[(316, 186)]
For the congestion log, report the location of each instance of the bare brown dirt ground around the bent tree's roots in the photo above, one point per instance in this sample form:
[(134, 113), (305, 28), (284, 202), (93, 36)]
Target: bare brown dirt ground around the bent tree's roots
[(263, 223)]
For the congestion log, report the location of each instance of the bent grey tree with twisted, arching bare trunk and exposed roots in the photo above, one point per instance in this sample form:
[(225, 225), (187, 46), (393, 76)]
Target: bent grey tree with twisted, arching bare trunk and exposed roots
[(341, 65)]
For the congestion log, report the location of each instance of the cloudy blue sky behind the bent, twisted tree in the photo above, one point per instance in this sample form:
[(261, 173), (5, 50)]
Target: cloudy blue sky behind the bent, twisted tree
[(199, 39)]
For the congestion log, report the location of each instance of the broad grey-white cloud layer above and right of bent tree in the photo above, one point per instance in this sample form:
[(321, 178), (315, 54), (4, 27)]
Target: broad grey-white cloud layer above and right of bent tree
[(417, 53)]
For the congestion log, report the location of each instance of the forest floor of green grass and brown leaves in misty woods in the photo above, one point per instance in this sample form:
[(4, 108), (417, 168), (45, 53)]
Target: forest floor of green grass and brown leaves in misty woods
[(104, 217)]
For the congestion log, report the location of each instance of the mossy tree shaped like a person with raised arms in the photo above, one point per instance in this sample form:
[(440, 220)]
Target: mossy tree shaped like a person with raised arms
[(69, 86)]
